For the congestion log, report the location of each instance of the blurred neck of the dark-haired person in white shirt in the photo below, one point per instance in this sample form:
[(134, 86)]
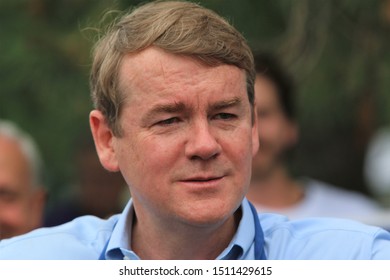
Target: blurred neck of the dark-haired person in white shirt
[(275, 190)]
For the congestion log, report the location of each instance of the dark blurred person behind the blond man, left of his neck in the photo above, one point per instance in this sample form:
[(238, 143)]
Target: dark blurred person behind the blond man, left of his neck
[(96, 191)]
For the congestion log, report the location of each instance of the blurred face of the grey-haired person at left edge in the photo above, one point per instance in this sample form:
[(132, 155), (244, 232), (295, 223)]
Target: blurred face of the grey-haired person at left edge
[(20, 205)]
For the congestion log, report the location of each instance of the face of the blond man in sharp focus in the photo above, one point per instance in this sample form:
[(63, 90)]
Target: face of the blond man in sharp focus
[(188, 138)]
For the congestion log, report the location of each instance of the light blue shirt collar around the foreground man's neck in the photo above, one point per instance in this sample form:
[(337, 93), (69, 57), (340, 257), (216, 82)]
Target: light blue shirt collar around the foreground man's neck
[(241, 246)]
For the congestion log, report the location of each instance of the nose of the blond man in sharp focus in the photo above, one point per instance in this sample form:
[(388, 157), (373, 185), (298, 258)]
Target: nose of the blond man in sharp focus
[(202, 144)]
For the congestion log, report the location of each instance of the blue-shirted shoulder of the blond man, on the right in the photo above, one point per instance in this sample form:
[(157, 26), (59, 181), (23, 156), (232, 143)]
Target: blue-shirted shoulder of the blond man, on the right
[(323, 238)]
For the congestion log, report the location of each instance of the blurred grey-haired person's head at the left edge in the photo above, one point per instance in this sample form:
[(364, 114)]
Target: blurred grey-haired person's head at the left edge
[(22, 195)]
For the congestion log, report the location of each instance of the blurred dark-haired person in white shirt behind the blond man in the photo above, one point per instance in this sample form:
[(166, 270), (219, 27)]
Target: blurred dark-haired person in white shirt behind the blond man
[(273, 188)]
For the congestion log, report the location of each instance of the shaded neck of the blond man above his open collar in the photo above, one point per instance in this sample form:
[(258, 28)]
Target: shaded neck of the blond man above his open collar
[(180, 241)]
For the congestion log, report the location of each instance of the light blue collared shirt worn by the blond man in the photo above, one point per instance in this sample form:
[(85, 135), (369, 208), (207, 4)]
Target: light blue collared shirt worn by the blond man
[(91, 238)]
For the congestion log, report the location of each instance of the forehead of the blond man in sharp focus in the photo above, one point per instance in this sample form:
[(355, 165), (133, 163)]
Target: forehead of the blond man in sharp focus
[(156, 71)]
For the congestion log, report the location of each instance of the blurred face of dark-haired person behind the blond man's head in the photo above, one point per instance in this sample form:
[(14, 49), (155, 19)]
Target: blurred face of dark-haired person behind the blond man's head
[(277, 133)]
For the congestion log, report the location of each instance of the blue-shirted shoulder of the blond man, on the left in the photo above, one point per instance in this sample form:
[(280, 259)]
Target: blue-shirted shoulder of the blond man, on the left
[(82, 238)]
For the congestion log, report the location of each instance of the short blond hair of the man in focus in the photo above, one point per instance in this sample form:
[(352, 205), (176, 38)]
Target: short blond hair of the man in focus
[(177, 27)]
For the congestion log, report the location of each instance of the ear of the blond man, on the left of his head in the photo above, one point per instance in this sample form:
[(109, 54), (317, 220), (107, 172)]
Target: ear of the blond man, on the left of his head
[(103, 137)]
